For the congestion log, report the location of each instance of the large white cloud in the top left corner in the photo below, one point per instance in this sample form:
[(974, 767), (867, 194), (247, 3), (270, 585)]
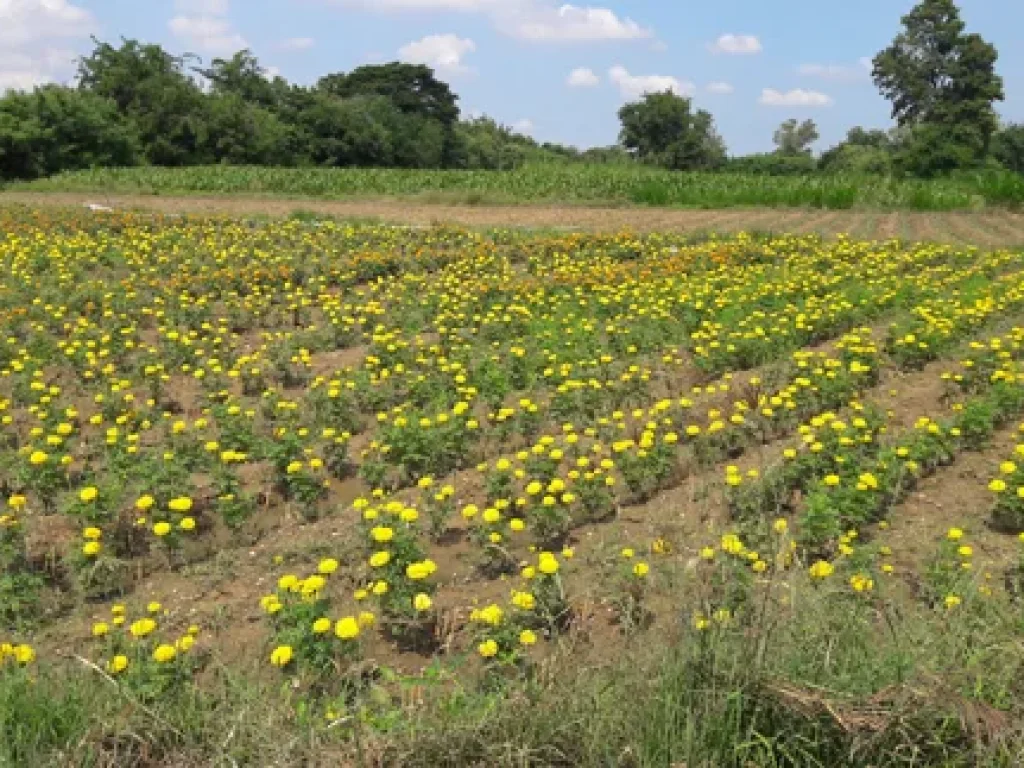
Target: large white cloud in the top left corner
[(33, 36)]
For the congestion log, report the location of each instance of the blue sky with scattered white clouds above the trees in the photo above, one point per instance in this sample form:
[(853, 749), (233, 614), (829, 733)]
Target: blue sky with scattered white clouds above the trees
[(558, 71)]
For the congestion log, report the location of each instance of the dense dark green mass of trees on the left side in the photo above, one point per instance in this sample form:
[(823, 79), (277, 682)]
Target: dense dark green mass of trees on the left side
[(137, 104)]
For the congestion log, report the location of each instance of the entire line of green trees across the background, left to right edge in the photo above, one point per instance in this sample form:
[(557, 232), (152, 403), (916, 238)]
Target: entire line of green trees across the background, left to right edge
[(137, 104)]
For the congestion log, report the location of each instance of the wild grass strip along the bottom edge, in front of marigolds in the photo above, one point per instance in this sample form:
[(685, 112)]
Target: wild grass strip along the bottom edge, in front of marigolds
[(834, 680)]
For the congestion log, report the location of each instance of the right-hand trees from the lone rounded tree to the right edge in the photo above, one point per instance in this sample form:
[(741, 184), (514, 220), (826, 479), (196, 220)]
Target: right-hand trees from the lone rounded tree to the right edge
[(942, 83)]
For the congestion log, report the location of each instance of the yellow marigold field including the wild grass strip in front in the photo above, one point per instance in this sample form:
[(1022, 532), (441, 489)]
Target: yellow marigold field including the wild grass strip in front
[(309, 493)]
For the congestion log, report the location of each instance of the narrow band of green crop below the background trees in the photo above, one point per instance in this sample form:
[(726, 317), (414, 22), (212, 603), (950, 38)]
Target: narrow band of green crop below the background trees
[(559, 184)]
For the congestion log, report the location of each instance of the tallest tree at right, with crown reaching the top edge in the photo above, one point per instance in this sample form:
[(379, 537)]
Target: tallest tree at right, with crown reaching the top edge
[(943, 84)]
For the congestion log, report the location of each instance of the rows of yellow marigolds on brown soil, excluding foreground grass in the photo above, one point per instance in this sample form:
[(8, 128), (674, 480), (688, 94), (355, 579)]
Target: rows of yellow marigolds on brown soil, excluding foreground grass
[(346, 453)]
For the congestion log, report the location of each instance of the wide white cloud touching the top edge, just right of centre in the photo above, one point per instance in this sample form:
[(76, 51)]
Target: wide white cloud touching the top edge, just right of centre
[(569, 23)]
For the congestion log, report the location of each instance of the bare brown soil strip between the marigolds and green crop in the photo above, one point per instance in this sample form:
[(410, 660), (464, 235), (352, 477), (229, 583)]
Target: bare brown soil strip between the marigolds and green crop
[(1002, 228)]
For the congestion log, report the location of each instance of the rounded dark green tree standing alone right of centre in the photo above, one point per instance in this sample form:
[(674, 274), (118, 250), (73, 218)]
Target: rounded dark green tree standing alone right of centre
[(664, 130)]
